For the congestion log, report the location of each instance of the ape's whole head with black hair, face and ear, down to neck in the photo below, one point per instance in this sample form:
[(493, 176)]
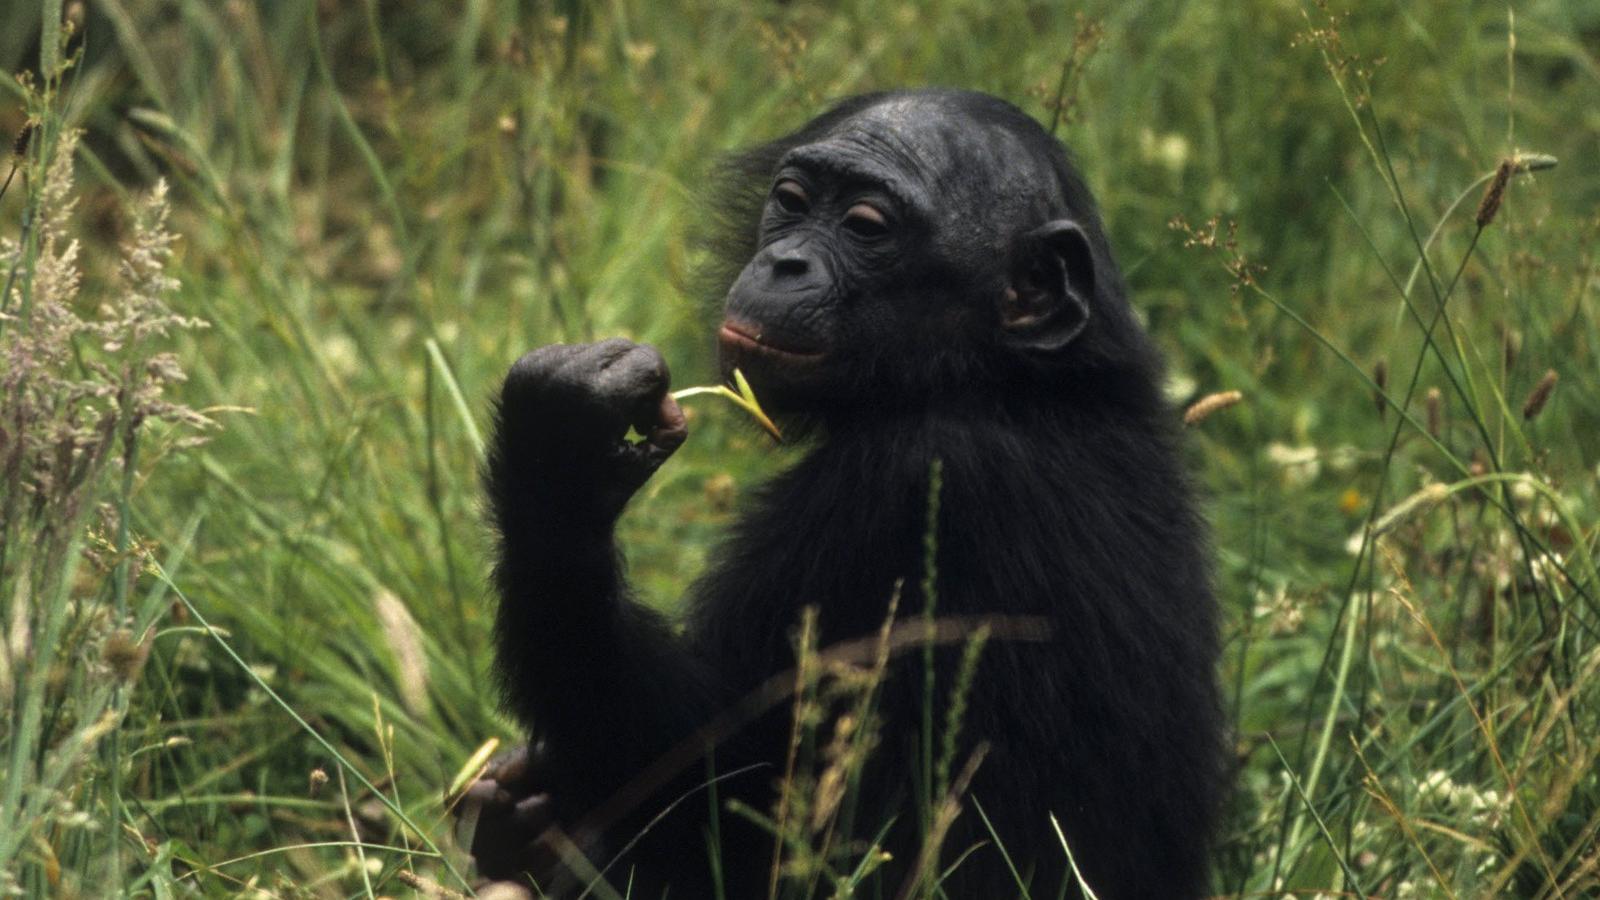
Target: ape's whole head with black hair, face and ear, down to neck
[(919, 244)]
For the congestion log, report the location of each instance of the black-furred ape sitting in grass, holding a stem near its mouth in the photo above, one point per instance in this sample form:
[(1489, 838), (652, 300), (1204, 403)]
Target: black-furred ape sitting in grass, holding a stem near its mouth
[(924, 278)]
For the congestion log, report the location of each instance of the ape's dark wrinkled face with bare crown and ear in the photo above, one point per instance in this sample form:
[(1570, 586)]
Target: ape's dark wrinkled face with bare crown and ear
[(911, 243)]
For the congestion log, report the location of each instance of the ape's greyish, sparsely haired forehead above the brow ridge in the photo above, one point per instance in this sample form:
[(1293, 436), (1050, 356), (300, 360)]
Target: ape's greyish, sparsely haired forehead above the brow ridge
[(929, 148)]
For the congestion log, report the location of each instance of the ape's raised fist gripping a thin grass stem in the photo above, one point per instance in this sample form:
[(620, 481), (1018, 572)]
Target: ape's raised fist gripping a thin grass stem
[(569, 409)]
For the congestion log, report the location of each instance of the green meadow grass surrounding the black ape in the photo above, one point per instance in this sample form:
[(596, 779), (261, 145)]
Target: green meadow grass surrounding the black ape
[(380, 211)]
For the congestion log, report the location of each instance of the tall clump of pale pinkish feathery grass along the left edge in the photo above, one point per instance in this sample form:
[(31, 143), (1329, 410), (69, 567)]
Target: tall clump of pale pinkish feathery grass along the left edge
[(74, 395)]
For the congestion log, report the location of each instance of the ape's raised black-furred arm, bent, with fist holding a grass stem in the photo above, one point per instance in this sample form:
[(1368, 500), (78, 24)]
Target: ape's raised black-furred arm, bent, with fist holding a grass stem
[(604, 681)]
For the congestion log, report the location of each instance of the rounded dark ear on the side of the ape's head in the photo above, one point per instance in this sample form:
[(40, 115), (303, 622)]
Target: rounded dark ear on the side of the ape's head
[(1047, 302)]
